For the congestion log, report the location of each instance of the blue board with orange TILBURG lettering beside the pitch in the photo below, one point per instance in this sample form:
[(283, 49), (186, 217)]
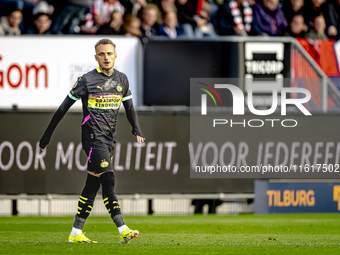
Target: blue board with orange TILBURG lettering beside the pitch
[(296, 197)]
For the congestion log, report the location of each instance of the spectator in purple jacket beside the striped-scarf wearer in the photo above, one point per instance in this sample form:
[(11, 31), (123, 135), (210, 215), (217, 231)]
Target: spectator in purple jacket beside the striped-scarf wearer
[(269, 18)]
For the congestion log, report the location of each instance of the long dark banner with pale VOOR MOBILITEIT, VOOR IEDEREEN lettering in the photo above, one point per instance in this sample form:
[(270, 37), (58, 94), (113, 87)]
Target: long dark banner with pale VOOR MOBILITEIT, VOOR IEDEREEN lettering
[(169, 162)]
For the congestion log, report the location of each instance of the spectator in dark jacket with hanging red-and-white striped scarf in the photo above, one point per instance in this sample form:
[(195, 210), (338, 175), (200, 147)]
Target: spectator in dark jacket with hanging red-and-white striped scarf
[(235, 17)]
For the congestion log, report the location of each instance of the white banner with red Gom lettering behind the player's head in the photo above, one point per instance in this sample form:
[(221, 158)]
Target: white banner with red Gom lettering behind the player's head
[(38, 73)]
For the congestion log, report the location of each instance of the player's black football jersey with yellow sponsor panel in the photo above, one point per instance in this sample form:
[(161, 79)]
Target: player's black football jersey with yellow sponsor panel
[(101, 96)]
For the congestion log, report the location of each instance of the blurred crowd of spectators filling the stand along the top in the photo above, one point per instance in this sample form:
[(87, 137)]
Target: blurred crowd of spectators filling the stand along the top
[(315, 19)]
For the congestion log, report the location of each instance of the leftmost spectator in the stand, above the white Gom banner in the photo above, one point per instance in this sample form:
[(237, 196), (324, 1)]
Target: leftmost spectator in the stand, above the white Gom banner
[(9, 25)]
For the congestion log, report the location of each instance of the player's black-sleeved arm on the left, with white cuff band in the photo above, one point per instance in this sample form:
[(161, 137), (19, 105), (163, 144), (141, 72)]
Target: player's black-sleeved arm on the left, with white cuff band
[(78, 90)]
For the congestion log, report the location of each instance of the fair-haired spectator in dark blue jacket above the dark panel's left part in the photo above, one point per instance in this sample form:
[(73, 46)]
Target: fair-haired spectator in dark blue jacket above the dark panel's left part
[(170, 28)]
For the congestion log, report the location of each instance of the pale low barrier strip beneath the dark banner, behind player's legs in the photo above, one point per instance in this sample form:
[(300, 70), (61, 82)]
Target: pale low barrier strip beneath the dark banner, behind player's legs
[(136, 204)]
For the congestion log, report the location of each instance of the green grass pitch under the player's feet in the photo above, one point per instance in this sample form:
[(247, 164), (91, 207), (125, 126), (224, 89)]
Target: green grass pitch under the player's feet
[(242, 234)]
